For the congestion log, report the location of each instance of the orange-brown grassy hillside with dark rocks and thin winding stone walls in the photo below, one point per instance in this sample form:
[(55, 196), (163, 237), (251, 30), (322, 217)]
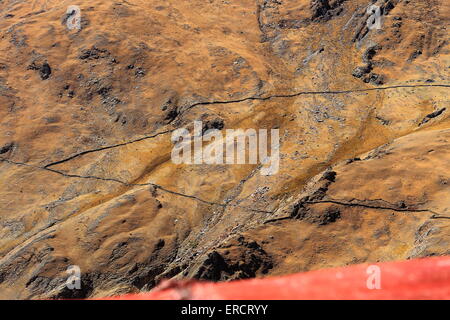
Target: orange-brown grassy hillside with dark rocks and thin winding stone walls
[(87, 117)]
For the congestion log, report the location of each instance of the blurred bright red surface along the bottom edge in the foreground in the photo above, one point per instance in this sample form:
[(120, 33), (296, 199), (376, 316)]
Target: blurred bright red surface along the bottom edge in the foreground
[(416, 279)]
